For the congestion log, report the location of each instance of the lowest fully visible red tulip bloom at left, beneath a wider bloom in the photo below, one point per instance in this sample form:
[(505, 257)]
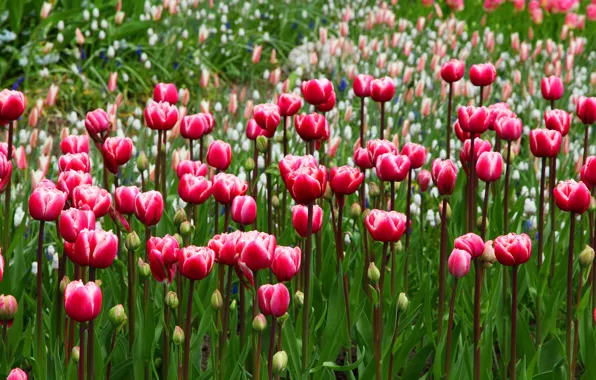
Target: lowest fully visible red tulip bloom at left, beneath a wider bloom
[(82, 302)]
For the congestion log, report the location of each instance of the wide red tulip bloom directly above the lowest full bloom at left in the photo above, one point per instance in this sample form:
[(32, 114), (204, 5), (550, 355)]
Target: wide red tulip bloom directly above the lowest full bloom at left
[(95, 248)]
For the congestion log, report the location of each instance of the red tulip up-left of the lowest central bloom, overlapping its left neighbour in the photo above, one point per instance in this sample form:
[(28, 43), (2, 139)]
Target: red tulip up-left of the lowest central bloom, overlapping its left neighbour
[(256, 249)]
